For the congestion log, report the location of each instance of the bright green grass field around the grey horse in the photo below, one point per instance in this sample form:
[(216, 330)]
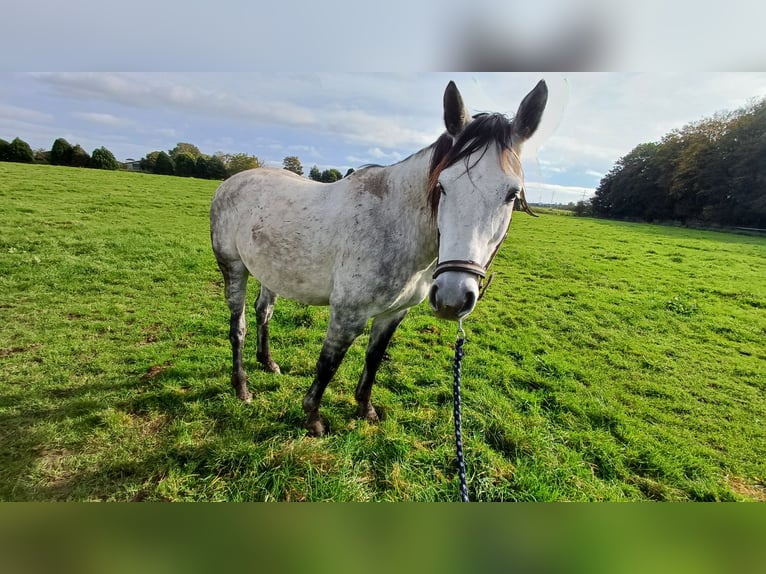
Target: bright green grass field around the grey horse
[(608, 361)]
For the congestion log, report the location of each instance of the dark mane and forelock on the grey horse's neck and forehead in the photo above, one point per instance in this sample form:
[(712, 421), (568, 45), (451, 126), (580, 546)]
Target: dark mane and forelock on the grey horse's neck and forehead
[(485, 129)]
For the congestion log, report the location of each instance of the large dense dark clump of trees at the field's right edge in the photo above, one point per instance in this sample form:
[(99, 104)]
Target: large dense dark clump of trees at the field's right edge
[(710, 172)]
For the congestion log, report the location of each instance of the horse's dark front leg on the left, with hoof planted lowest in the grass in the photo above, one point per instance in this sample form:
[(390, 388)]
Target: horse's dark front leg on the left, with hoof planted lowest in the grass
[(344, 327)]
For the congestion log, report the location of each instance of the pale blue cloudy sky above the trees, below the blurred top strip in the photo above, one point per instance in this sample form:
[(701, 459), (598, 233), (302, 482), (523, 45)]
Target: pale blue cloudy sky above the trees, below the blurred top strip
[(348, 119)]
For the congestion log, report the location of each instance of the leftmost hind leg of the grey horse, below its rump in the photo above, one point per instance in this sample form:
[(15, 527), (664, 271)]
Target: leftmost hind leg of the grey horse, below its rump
[(235, 279)]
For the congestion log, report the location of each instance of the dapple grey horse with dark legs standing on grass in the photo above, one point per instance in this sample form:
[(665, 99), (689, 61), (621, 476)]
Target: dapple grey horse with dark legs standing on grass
[(374, 243)]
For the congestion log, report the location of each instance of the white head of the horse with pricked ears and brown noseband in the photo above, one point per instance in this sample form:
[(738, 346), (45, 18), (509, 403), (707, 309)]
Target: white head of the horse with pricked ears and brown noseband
[(475, 181)]
